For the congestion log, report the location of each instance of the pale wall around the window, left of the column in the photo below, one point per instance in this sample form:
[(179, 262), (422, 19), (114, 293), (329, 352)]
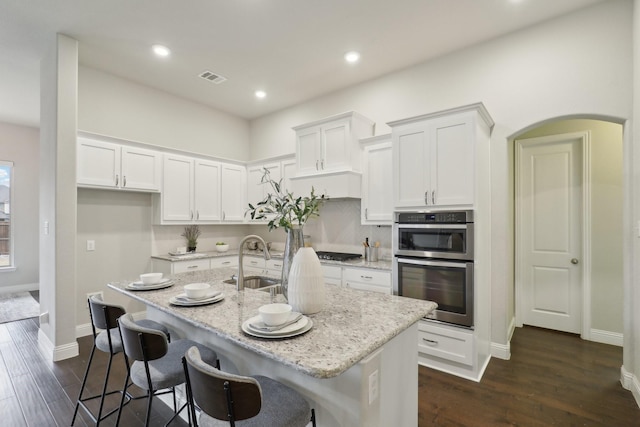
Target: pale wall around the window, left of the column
[(19, 144)]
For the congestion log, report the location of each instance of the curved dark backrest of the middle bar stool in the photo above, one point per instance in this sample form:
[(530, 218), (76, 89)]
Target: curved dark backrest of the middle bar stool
[(141, 343)]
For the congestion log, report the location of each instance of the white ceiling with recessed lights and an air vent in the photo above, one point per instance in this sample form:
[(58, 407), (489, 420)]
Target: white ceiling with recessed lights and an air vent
[(292, 49)]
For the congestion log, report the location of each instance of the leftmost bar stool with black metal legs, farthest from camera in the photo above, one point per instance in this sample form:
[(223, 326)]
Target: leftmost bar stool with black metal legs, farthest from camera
[(104, 316)]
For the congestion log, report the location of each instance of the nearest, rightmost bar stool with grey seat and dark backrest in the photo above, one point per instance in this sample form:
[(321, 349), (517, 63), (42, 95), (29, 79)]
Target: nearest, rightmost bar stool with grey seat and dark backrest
[(248, 401)]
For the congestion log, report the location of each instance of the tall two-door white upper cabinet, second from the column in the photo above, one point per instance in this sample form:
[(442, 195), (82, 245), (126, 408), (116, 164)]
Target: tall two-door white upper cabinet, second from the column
[(190, 189)]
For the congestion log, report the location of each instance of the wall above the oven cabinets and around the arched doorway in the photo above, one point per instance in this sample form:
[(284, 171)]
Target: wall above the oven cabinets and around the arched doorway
[(579, 64)]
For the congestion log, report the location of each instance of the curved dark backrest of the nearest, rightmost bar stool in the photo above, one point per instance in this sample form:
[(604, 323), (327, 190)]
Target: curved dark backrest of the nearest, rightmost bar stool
[(221, 395)]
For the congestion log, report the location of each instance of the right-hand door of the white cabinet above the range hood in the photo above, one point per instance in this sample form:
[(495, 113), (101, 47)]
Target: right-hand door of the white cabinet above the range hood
[(336, 147)]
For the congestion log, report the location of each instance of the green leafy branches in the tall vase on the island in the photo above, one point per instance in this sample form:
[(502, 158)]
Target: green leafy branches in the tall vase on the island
[(282, 208)]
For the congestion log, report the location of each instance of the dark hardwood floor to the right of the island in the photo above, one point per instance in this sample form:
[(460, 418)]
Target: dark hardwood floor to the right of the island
[(552, 379)]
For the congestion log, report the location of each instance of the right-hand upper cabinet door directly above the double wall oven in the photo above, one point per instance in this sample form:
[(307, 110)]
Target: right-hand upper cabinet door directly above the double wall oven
[(452, 151)]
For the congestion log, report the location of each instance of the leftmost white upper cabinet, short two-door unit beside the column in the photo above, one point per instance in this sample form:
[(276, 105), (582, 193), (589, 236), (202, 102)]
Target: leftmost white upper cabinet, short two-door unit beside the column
[(103, 164)]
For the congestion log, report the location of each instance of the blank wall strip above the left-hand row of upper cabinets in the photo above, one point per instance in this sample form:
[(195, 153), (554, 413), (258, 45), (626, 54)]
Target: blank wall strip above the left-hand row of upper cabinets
[(109, 105)]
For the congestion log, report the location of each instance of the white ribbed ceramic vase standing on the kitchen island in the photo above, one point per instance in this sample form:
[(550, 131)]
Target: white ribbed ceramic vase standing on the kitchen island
[(306, 293)]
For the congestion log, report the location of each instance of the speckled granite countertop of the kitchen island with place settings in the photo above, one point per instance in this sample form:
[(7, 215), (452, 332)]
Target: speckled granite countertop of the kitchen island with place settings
[(352, 325)]
